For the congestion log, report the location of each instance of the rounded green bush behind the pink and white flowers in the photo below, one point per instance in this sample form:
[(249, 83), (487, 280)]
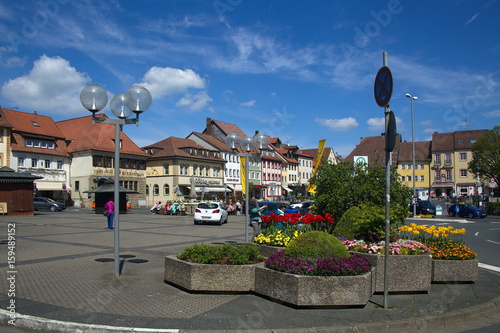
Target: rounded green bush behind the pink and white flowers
[(365, 222)]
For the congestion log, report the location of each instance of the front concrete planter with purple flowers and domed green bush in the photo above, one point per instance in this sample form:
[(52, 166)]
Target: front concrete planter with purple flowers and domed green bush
[(315, 270)]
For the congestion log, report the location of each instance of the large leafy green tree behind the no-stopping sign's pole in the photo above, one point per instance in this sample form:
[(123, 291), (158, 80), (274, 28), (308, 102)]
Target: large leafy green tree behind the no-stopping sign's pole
[(344, 185)]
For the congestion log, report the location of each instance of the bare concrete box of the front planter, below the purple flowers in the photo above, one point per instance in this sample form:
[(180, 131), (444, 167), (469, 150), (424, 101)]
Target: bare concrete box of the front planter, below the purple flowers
[(299, 290)]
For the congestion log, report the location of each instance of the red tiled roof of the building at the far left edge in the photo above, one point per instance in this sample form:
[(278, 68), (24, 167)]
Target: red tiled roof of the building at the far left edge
[(33, 123)]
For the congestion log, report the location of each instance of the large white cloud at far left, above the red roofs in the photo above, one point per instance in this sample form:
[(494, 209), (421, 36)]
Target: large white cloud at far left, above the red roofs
[(52, 85)]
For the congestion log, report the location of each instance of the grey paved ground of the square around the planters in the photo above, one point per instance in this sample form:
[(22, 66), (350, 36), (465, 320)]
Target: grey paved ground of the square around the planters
[(65, 272)]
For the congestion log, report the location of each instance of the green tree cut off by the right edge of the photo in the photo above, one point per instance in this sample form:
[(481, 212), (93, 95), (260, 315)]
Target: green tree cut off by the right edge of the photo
[(486, 155)]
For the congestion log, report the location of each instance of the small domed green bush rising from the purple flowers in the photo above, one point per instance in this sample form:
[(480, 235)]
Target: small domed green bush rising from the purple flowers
[(316, 244)]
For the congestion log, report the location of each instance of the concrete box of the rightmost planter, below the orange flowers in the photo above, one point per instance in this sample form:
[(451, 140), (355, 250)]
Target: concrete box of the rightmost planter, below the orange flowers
[(454, 270)]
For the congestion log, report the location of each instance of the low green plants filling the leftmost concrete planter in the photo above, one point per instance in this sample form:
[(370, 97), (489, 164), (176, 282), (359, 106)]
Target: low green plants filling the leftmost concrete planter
[(226, 254)]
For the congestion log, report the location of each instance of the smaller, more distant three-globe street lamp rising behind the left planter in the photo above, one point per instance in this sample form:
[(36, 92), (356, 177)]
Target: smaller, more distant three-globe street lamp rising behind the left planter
[(234, 141)]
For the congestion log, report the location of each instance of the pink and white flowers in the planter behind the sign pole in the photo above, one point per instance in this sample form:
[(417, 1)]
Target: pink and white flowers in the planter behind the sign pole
[(400, 247)]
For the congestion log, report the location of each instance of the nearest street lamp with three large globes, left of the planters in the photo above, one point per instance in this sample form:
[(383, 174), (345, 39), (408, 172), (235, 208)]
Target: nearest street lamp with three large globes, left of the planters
[(136, 100)]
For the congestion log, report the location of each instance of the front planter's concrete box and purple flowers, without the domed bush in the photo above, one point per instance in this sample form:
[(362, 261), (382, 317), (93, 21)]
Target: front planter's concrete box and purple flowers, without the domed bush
[(315, 281)]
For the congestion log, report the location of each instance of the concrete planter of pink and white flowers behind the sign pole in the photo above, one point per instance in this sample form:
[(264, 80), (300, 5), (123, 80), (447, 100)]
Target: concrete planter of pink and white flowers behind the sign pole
[(409, 269)]
